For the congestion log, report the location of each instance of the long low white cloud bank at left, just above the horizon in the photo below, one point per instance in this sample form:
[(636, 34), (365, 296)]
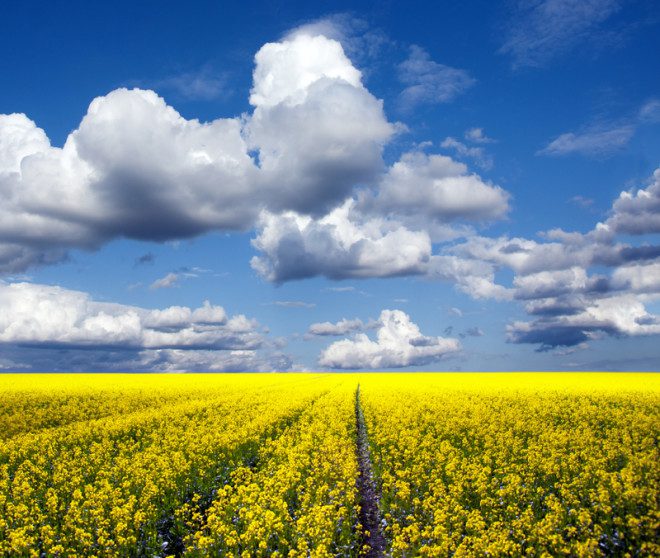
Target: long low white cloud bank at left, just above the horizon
[(41, 315)]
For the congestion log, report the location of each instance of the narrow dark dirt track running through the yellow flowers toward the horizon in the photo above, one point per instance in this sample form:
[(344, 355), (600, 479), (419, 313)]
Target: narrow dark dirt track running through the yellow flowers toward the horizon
[(369, 497)]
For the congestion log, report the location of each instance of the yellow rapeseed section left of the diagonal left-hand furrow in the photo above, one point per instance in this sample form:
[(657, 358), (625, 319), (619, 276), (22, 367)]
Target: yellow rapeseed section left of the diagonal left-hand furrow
[(111, 485)]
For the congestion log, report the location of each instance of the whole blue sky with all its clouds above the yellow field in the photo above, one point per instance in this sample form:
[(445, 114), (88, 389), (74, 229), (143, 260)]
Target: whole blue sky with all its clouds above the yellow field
[(330, 186)]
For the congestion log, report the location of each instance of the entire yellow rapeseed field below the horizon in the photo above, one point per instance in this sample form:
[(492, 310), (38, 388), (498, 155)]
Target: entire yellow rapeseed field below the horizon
[(267, 464)]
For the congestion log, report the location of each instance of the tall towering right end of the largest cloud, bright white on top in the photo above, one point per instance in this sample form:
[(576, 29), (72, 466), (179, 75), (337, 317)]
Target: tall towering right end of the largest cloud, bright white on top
[(319, 132)]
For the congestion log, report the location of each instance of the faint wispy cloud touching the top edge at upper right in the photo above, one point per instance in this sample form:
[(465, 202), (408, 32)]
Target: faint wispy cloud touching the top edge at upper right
[(539, 31)]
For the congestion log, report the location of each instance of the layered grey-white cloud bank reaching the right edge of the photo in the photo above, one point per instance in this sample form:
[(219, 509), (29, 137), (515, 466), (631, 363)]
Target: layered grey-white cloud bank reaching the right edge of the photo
[(575, 286)]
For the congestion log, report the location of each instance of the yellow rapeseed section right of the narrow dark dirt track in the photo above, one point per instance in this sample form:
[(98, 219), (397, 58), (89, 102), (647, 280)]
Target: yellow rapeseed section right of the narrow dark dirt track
[(516, 464)]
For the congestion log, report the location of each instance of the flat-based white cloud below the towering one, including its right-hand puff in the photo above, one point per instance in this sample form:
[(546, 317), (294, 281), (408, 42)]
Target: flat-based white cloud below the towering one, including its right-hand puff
[(381, 232)]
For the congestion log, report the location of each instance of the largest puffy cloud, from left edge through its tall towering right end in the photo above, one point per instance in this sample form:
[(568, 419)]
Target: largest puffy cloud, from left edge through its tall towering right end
[(136, 168)]
